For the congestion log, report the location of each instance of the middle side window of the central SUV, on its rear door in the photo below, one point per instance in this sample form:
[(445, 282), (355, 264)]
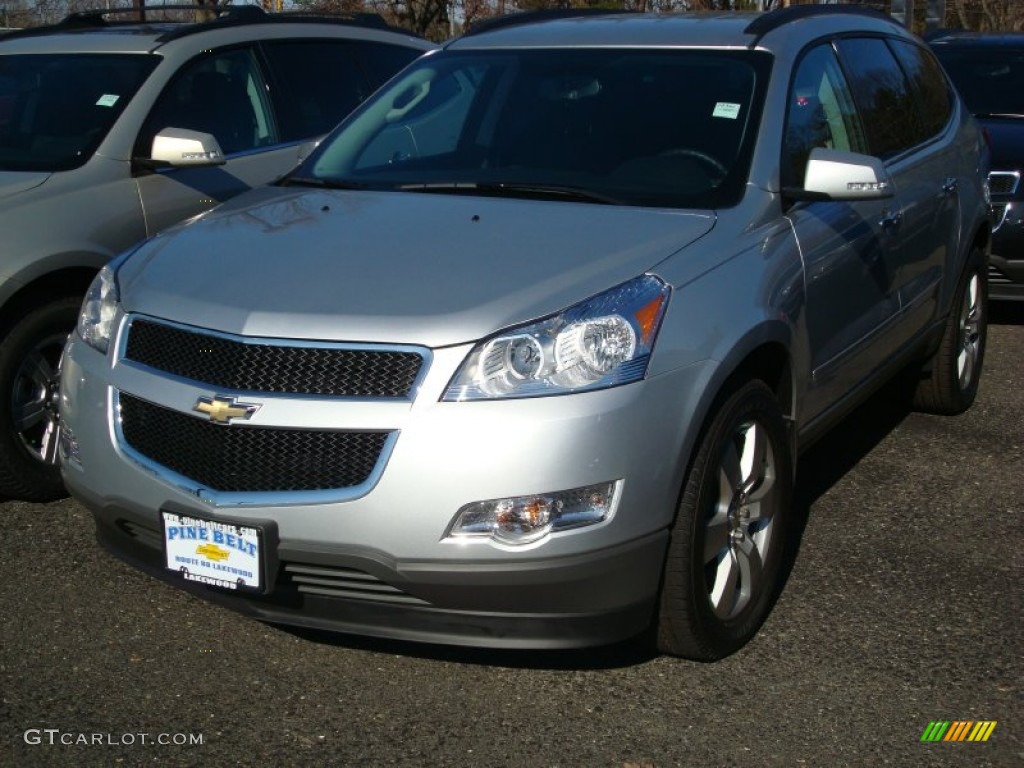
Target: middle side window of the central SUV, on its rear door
[(884, 100)]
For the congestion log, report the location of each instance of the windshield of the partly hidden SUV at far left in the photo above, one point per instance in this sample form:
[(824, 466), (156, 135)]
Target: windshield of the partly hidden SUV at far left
[(56, 109)]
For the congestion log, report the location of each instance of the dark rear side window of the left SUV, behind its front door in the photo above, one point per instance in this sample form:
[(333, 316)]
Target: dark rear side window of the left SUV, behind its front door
[(319, 83)]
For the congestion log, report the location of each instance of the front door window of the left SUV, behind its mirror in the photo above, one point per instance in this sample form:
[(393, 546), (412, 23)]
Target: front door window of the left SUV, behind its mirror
[(223, 94)]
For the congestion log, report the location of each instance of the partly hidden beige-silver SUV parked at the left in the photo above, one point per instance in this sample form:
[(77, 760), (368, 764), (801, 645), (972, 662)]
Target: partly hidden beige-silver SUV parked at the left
[(111, 132)]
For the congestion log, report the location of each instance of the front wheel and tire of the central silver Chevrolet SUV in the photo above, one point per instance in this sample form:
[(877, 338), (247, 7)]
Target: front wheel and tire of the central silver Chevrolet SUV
[(726, 556)]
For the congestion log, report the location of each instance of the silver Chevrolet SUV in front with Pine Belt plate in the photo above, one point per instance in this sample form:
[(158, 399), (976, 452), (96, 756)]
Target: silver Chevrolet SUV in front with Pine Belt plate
[(525, 354)]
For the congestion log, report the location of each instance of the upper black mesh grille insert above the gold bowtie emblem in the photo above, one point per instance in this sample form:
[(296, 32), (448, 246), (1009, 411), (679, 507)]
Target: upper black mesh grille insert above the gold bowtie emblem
[(266, 368)]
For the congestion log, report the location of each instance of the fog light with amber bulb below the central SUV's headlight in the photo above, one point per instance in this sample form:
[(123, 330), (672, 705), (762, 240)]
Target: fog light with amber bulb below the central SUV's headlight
[(524, 520)]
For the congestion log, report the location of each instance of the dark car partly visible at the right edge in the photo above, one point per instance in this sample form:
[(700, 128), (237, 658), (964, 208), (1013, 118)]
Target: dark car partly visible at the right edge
[(989, 71)]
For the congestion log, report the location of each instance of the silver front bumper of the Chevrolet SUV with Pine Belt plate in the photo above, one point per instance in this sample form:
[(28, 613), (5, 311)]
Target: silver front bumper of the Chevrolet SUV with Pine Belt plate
[(379, 565)]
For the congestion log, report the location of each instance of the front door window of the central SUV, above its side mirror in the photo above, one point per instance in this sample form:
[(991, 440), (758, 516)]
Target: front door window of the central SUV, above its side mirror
[(821, 113)]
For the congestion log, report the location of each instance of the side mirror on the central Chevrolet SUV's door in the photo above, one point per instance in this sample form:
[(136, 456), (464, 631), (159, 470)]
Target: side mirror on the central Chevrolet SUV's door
[(833, 175)]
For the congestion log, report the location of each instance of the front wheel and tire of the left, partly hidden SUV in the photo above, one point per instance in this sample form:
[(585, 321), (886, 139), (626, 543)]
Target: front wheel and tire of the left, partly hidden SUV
[(30, 429)]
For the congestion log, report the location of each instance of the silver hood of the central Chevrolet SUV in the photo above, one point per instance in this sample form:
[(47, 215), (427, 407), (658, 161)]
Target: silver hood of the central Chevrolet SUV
[(394, 268)]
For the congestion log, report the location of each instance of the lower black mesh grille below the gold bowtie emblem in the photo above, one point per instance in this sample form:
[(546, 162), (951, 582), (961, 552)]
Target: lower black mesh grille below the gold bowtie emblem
[(245, 458)]
